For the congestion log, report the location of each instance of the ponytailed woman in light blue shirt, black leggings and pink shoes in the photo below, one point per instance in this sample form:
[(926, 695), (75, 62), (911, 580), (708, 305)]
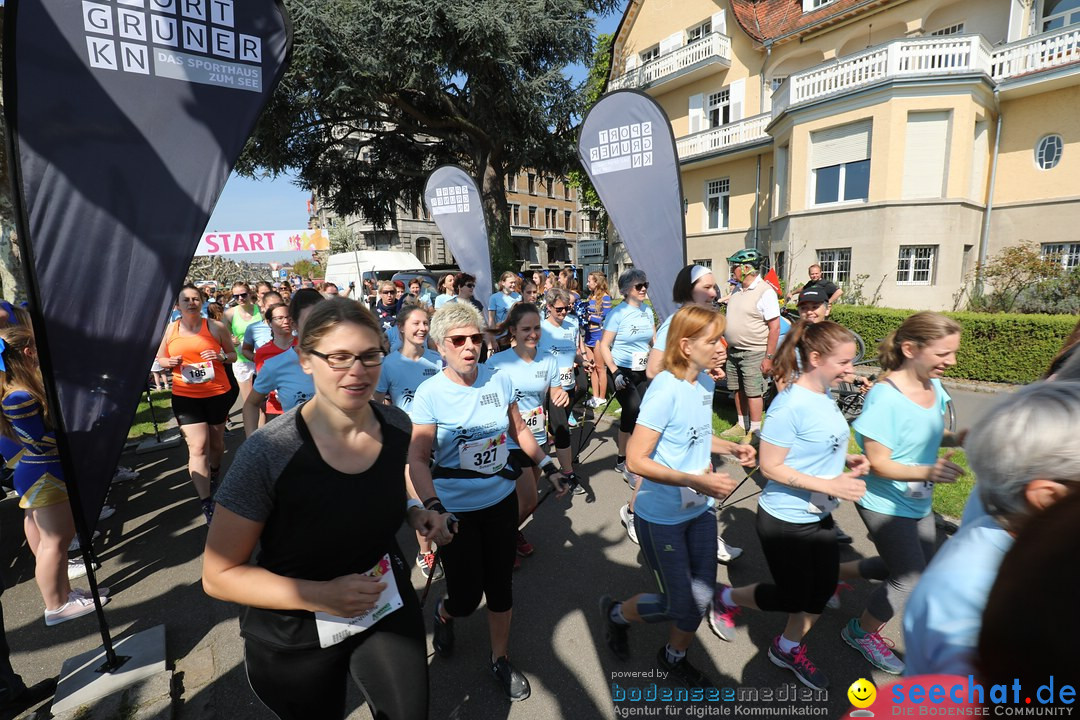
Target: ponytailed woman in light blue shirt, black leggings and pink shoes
[(803, 455)]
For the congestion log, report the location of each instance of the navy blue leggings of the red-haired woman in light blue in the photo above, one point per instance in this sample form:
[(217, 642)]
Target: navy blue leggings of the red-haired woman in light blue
[(683, 560)]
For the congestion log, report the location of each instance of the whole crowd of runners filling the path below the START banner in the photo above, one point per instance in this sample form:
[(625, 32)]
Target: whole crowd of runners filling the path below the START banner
[(442, 413)]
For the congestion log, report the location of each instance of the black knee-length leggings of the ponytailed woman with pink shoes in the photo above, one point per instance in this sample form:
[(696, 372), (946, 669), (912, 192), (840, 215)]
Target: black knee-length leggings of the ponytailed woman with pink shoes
[(805, 563)]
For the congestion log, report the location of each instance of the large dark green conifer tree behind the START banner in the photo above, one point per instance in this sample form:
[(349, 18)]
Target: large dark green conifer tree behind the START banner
[(382, 92)]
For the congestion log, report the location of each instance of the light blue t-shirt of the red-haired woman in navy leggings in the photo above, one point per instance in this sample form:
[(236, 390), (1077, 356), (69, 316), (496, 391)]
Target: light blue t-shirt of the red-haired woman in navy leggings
[(683, 414)]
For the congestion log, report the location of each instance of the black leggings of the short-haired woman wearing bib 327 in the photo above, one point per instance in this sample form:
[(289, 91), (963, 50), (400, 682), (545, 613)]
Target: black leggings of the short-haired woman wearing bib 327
[(481, 560)]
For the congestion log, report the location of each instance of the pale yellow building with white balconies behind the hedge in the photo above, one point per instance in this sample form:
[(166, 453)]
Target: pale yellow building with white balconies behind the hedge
[(896, 143)]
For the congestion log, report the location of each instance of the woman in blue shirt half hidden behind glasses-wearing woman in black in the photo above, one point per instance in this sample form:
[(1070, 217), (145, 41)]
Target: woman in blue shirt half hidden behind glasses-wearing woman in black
[(283, 374)]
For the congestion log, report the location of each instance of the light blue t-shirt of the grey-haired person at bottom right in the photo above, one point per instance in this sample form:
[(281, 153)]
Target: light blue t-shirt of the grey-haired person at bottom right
[(946, 613)]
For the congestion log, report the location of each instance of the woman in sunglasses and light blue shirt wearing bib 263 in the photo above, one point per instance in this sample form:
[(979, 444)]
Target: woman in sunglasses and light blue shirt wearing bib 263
[(561, 339)]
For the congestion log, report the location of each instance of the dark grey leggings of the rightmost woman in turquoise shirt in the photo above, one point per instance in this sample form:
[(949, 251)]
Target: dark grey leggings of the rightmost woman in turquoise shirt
[(906, 547)]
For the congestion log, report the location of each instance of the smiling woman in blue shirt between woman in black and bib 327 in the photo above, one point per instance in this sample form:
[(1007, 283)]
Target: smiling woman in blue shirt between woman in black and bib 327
[(402, 374)]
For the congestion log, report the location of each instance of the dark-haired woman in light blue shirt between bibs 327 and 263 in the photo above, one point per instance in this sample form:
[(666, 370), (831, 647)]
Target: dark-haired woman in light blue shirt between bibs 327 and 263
[(534, 375)]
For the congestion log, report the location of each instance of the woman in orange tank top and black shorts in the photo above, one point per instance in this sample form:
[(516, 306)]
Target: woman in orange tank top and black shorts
[(196, 348)]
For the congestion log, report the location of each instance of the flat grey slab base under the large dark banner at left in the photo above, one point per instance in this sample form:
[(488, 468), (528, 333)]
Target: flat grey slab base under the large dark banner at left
[(85, 684)]
